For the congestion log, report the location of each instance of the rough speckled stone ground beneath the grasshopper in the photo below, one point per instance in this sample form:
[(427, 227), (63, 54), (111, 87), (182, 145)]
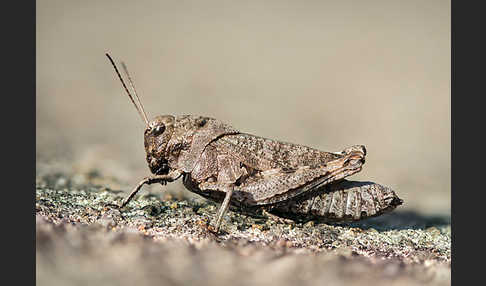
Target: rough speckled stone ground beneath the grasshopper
[(161, 238)]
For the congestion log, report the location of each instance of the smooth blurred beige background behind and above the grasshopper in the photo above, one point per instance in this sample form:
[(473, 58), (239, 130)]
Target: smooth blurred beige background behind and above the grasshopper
[(326, 74)]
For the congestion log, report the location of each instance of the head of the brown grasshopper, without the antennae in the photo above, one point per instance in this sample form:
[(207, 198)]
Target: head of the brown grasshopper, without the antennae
[(156, 137)]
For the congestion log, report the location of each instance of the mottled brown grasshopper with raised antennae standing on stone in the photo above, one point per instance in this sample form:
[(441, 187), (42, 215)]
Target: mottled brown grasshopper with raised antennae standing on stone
[(243, 171)]
